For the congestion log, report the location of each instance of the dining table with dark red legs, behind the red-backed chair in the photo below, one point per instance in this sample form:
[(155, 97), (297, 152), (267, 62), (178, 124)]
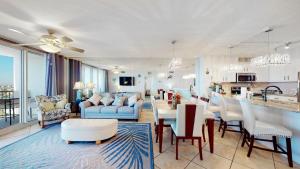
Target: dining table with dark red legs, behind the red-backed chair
[(166, 112)]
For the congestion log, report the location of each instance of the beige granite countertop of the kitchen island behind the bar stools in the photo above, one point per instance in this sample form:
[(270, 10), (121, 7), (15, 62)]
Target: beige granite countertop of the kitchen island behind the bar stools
[(288, 106)]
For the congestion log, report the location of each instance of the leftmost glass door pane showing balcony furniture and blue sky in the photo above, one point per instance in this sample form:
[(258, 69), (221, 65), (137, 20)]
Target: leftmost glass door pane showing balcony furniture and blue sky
[(10, 86)]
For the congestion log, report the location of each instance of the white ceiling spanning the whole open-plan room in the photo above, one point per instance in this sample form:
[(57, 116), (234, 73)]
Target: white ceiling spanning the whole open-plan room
[(116, 31)]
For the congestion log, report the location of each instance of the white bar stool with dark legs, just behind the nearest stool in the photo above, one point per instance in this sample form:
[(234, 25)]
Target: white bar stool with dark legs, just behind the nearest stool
[(229, 116)]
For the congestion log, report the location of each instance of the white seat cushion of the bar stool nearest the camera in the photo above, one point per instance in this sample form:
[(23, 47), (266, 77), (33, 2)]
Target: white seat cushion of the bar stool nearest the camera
[(263, 128)]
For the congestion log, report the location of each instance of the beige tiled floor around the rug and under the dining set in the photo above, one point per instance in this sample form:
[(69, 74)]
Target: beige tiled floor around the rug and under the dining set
[(228, 152)]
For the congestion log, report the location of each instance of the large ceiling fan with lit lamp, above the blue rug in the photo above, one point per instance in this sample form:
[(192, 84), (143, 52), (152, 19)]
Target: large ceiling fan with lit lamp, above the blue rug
[(52, 44)]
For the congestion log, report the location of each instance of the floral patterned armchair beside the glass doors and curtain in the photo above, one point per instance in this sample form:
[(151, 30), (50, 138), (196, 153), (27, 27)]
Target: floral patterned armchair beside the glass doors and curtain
[(52, 108)]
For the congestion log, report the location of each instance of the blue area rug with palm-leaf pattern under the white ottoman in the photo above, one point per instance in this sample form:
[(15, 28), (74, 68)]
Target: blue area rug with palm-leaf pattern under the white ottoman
[(131, 148)]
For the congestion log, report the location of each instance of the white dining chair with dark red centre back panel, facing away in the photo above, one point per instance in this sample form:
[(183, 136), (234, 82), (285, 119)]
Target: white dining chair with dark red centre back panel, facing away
[(189, 120)]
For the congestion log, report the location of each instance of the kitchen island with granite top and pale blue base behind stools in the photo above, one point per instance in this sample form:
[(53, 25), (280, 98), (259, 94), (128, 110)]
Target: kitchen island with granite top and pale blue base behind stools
[(276, 112)]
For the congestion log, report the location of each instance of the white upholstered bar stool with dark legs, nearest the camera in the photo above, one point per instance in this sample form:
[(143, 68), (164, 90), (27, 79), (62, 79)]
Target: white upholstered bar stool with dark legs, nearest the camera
[(254, 128)]
